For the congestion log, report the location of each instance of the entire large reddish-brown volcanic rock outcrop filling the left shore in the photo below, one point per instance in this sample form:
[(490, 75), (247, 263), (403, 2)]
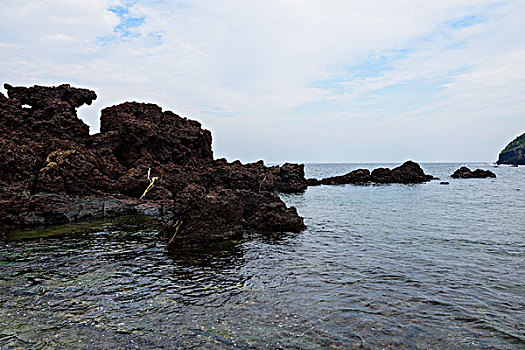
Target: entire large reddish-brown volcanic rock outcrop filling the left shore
[(52, 171)]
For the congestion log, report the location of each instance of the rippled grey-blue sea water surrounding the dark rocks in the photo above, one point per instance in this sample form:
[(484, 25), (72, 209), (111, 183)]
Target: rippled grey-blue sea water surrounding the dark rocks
[(426, 266)]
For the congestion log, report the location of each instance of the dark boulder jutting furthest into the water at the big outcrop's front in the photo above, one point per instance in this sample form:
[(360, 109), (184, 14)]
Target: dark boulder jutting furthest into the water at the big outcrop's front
[(205, 215)]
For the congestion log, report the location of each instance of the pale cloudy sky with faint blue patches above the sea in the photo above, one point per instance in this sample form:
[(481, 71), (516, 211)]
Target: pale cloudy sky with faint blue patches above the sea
[(289, 80)]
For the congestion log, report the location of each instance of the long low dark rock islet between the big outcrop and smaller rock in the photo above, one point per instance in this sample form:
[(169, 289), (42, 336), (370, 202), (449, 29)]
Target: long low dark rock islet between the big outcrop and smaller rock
[(407, 173)]
